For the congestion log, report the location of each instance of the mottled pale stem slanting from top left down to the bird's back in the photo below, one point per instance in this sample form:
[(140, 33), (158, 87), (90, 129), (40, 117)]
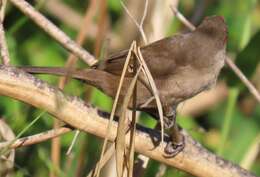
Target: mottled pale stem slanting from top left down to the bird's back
[(54, 31)]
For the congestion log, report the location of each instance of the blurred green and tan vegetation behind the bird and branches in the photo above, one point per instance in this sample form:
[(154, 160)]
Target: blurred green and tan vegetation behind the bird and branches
[(230, 127)]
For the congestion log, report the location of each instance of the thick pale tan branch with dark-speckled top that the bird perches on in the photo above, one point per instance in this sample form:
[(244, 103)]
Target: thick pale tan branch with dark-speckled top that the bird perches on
[(193, 159)]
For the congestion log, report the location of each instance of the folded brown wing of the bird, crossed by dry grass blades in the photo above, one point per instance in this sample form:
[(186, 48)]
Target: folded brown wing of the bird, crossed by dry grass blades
[(160, 57)]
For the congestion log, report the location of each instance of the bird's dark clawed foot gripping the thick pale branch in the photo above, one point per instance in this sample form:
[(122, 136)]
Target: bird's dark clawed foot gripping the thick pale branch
[(173, 148)]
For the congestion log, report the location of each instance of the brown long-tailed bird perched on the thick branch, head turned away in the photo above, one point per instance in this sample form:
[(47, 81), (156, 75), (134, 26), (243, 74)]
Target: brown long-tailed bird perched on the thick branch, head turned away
[(182, 66)]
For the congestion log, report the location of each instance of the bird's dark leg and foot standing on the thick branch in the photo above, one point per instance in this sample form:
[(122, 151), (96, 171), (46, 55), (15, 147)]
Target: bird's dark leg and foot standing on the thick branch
[(176, 144)]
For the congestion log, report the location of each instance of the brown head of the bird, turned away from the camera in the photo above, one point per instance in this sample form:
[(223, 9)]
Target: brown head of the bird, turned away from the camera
[(215, 28)]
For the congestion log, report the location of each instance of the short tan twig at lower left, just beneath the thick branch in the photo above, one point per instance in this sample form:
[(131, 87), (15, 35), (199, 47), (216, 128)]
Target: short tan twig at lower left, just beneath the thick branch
[(34, 139)]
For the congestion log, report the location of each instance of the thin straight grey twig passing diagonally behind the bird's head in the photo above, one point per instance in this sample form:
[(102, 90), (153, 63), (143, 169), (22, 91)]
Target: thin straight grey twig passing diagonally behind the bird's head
[(228, 61)]
